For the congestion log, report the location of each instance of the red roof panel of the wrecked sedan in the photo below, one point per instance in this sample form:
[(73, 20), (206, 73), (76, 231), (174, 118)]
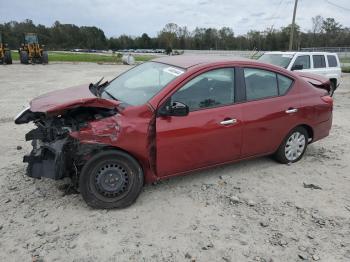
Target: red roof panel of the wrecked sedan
[(187, 61)]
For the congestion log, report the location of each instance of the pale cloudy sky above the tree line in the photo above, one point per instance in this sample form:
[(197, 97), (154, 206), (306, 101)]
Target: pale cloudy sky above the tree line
[(133, 17)]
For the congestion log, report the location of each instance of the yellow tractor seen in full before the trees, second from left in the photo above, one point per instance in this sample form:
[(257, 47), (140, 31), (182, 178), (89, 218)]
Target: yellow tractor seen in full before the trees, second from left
[(31, 51)]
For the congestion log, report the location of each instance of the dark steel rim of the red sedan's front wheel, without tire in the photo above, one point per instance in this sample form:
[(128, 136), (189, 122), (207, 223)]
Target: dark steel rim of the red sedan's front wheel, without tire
[(111, 180)]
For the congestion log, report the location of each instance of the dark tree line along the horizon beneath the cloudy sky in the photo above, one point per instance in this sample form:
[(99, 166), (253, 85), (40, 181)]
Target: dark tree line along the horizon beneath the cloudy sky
[(325, 32)]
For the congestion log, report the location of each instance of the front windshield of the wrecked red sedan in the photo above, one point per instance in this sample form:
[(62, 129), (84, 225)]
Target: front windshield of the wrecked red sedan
[(141, 83)]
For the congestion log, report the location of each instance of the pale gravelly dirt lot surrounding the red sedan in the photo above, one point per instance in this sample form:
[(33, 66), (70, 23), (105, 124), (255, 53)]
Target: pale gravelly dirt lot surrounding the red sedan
[(256, 210)]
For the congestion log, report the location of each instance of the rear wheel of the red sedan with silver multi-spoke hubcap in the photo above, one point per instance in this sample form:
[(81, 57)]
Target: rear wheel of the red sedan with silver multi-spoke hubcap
[(293, 146)]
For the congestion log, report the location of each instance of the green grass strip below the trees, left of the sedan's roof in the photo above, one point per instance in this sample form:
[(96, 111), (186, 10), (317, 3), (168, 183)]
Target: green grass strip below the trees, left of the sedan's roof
[(92, 58)]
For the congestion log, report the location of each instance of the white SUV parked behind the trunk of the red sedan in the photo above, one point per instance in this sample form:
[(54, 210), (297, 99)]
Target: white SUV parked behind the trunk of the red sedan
[(321, 63)]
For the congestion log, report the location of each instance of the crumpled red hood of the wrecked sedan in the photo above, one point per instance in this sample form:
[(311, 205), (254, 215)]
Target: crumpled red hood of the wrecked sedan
[(61, 100)]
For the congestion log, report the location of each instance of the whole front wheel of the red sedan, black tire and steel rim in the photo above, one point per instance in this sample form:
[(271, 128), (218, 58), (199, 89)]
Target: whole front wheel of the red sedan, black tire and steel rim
[(111, 179)]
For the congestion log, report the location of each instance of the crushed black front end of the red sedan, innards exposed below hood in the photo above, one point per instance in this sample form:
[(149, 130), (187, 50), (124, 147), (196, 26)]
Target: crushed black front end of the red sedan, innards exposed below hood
[(56, 153)]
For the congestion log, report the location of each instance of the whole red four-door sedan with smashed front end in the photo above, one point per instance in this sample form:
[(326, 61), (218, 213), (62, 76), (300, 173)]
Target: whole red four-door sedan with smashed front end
[(168, 117)]
